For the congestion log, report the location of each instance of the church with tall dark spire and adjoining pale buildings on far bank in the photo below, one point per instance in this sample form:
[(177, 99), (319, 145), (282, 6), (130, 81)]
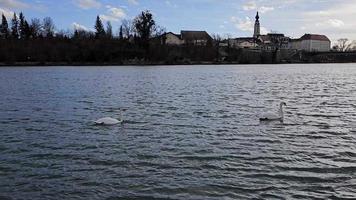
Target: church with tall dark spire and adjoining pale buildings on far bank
[(278, 41)]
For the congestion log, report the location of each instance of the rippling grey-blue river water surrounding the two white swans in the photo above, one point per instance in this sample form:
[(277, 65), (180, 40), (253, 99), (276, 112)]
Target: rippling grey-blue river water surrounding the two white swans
[(190, 132)]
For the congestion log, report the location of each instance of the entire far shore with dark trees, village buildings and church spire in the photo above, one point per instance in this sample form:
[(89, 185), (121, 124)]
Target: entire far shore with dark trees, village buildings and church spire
[(143, 42)]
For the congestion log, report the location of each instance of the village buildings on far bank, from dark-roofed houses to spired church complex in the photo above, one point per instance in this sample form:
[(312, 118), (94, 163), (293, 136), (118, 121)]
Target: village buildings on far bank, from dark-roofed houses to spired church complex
[(271, 41)]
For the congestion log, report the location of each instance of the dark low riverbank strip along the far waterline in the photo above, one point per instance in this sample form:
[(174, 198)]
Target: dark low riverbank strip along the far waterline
[(242, 56)]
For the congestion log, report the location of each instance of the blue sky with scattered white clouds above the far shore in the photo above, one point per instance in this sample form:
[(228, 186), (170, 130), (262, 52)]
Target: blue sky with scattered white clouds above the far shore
[(232, 18)]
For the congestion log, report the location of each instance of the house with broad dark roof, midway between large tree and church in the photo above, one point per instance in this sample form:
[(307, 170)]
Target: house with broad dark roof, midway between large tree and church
[(198, 38)]
